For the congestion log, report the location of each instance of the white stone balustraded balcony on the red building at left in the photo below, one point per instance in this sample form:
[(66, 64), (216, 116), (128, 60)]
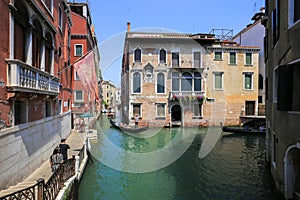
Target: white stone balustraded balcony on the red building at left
[(25, 78)]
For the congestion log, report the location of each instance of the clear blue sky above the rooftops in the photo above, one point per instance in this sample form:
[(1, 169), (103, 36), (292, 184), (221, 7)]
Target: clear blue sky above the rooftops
[(190, 16)]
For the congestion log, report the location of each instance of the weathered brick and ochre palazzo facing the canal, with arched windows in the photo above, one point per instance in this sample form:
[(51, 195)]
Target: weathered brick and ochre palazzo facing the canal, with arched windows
[(171, 79)]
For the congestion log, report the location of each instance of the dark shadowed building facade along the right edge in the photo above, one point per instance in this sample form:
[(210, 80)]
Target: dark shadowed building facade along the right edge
[(282, 45)]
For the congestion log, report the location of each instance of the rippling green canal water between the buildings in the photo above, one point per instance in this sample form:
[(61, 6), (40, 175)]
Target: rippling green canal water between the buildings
[(129, 167)]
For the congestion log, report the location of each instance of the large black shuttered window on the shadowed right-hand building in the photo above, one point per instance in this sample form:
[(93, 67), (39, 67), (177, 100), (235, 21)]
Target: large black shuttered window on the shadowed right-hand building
[(288, 98)]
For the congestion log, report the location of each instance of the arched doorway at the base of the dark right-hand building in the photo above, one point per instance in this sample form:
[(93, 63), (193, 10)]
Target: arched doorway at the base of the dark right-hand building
[(292, 172)]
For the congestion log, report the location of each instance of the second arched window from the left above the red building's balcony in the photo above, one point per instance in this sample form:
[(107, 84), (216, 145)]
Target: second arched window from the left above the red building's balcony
[(37, 34)]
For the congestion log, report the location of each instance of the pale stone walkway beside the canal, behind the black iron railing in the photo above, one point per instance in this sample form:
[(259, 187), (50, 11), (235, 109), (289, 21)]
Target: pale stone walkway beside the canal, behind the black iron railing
[(75, 140)]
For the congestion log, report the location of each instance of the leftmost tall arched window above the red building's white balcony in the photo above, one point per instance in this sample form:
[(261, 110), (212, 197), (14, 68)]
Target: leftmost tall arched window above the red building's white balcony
[(21, 23)]
